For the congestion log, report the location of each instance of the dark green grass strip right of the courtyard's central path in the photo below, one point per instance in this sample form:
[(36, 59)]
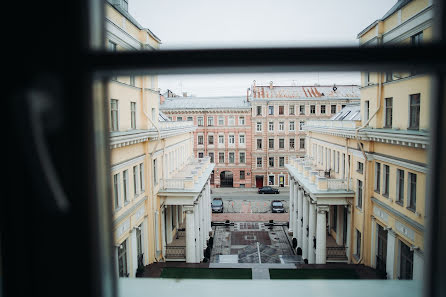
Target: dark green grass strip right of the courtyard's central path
[(313, 274)]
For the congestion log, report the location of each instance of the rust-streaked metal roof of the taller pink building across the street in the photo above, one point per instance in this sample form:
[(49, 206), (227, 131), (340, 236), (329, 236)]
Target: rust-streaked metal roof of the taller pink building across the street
[(305, 92)]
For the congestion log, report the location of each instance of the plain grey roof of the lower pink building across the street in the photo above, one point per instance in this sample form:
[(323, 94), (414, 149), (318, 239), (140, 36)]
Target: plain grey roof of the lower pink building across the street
[(205, 103)]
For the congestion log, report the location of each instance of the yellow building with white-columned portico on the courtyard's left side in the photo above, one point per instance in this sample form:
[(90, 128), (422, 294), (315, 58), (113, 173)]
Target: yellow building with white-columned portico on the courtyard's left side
[(147, 152)]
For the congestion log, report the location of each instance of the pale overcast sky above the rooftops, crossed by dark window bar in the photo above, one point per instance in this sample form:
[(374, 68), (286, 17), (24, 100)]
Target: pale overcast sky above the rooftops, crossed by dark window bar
[(244, 23)]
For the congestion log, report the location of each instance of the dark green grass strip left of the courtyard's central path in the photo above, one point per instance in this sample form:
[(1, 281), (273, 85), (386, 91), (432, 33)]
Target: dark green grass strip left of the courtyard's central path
[(207, 273)]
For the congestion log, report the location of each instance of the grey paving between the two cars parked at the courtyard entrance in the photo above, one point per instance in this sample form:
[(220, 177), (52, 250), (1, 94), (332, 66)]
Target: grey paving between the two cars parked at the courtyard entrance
[(249, 206)]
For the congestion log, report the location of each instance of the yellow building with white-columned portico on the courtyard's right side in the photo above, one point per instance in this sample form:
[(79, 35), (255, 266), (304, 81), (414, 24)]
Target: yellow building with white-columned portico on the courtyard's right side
[(382, 157)]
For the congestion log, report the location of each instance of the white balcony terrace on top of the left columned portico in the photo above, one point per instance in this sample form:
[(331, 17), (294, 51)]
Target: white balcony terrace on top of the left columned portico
[(191, 177)]
